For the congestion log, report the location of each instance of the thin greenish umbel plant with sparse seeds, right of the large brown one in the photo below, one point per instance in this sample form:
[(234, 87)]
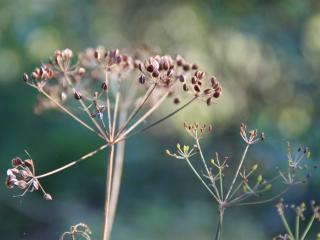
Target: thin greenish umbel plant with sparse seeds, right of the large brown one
[(246, 184)]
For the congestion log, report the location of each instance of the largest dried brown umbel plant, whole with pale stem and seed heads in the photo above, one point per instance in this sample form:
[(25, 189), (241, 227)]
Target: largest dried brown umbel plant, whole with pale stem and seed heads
[(110, 93)]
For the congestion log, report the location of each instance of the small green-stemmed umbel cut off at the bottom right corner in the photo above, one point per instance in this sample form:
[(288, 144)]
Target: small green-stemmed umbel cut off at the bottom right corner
[(302, 226)]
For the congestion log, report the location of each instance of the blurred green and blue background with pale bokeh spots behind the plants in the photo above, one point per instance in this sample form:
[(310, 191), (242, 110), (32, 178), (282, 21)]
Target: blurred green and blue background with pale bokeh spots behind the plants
[(266, 55)]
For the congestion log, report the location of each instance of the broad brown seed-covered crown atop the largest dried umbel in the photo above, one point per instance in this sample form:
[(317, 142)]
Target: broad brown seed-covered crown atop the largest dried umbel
[(105, 66)]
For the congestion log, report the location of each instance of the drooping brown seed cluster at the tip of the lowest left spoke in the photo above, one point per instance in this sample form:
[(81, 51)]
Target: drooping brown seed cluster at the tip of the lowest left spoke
[(22, 176)]
